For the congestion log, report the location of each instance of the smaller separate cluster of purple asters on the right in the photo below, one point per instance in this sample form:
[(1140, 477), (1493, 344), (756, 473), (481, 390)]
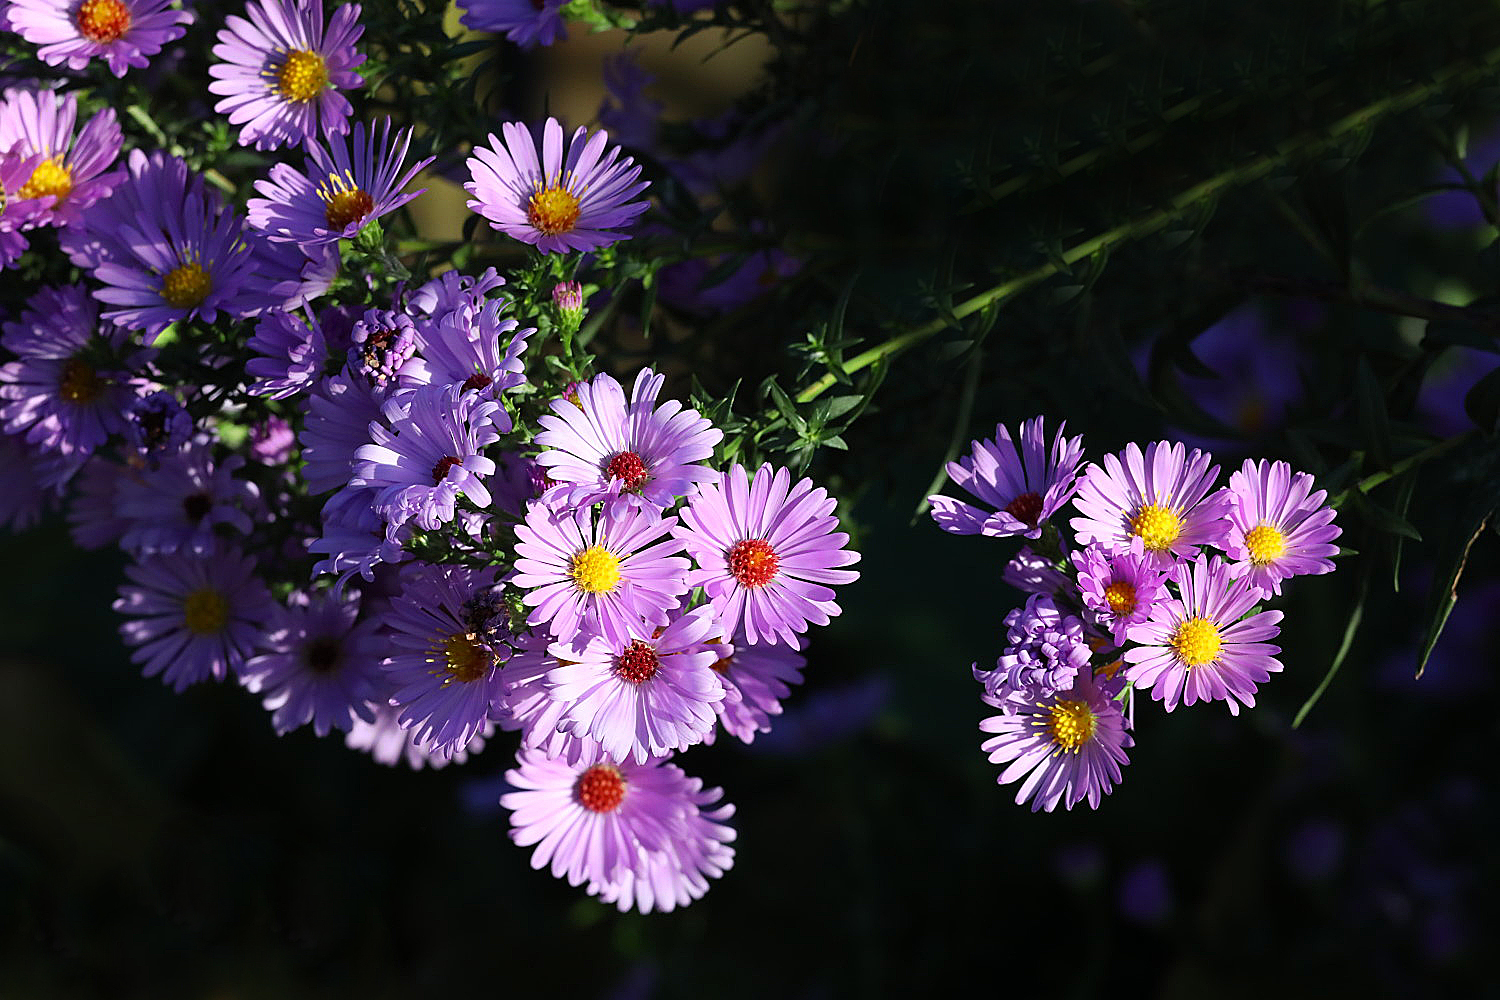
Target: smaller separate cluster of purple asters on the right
[(1135, 602)]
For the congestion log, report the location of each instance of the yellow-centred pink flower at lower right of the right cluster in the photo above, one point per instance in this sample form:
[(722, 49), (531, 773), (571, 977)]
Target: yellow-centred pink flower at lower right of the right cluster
[(1196, 648)]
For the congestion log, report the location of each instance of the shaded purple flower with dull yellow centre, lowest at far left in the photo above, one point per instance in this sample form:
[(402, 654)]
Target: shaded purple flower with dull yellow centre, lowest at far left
[(194, 617)]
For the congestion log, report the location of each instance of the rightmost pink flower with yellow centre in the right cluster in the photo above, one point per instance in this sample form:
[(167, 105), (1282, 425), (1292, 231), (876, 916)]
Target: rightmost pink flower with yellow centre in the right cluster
[(1282, 528)]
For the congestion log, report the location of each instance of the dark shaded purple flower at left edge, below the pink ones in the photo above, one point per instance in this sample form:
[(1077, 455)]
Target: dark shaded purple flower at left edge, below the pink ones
[(58, 394)]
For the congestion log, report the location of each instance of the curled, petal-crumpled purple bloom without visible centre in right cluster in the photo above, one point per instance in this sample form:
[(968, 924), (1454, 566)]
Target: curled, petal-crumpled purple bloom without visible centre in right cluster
[(1046, 651)]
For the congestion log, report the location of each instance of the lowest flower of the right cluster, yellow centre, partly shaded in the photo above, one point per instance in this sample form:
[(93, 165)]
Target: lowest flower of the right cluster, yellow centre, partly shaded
[(1069, 746)]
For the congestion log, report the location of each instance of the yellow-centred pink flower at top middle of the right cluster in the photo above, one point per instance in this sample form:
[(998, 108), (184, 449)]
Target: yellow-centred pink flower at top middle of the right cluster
[(1162, 497)]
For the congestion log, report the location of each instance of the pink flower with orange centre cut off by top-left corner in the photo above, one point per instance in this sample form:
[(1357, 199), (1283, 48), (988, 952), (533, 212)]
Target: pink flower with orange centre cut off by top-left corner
[(122, 32)]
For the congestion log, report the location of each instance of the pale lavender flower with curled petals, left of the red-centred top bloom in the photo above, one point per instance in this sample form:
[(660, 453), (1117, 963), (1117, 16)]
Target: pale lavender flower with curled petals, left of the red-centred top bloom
[(431, 455)]
